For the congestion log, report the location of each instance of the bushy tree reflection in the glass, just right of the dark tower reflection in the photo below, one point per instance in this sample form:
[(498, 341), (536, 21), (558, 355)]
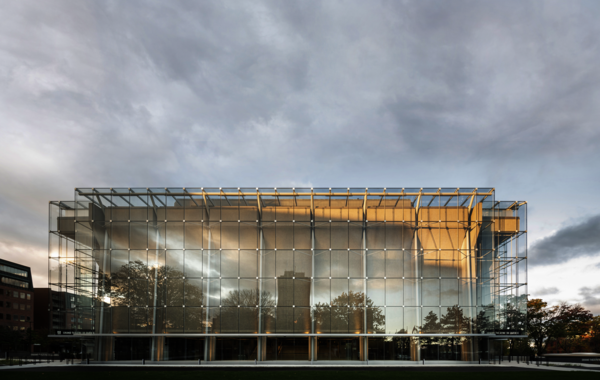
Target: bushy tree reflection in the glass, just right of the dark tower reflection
[(346, 309)]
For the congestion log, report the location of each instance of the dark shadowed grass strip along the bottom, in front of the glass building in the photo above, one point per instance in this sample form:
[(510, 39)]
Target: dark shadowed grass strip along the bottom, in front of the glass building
[(139, 373)]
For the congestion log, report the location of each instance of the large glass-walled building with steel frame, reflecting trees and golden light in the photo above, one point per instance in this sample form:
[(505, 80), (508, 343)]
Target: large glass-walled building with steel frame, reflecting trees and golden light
[(289, 273)]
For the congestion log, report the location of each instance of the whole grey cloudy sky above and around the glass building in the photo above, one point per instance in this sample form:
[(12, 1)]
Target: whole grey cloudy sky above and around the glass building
[(310, 93)]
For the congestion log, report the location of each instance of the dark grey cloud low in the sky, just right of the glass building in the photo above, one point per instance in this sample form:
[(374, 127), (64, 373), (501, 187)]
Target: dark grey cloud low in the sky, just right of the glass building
[(582, 239)]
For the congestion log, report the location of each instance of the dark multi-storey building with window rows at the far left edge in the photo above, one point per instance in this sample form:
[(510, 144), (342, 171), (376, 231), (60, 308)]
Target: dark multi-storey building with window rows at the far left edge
[(16, 296)]
